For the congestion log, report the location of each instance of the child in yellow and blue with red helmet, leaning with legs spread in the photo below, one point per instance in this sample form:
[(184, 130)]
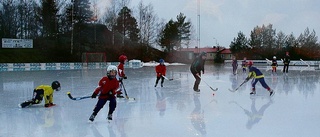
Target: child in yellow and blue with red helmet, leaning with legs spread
[(258, 77)]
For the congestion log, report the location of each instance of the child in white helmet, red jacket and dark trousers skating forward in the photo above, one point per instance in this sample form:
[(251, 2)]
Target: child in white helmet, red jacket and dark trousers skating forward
[(106, 90)]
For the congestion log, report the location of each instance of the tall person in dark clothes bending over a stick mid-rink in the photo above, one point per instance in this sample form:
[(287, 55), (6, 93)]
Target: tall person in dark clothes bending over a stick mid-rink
[(196, 67)]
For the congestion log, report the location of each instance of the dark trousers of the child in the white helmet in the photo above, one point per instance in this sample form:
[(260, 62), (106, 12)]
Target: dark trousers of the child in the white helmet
[(102, 102)]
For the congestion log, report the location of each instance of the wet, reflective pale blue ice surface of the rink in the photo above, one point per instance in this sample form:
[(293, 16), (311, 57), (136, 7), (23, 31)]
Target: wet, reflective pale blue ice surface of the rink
[(174, 110)]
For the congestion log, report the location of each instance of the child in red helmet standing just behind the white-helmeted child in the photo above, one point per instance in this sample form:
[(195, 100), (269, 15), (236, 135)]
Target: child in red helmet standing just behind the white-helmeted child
[(121, 75)]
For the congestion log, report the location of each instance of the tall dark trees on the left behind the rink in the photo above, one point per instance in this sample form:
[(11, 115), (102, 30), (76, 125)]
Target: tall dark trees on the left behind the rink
[(70, 28)]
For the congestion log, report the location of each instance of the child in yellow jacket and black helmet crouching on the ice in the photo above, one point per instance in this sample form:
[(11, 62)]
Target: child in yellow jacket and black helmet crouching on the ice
[(43, 91)]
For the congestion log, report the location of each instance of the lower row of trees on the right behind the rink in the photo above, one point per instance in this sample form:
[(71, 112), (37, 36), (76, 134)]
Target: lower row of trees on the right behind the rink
[(266, 42)]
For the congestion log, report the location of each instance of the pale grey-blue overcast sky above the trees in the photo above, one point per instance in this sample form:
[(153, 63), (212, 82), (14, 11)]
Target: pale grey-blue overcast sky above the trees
[(221, 20)]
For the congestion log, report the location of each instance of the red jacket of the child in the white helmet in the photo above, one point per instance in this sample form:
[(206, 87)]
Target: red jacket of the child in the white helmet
[(107, 88)]
